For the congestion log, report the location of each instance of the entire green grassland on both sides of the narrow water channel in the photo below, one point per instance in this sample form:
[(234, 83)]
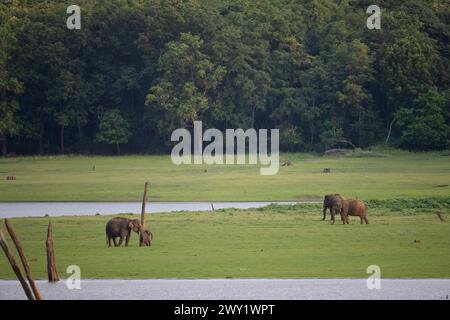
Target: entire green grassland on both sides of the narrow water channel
[(404, 192)]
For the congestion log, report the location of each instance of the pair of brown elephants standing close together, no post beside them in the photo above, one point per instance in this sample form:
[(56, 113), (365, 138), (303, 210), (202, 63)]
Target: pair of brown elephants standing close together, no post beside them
[(338, 204)]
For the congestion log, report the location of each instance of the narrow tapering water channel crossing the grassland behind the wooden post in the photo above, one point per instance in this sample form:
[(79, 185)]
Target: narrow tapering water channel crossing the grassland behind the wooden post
[(40, 209)]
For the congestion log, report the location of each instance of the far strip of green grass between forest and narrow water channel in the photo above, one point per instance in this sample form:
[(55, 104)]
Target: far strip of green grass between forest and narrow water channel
[(73, 178)]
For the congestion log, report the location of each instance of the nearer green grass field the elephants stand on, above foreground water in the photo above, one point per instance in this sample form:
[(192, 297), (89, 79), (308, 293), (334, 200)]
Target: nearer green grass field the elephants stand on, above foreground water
[(274, 242)]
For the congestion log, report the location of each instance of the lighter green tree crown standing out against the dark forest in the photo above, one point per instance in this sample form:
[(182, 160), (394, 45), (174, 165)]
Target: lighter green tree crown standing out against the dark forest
[(183, 92)]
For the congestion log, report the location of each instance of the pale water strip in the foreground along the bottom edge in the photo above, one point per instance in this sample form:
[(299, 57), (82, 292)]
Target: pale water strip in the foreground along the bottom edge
[(237, 289)]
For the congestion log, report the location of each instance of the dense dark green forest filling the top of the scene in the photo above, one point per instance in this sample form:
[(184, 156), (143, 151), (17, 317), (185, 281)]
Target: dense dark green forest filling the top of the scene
[(139, 69)]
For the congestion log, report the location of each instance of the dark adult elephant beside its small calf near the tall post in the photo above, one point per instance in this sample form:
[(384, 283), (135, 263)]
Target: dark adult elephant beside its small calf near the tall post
[(121, 227)]
